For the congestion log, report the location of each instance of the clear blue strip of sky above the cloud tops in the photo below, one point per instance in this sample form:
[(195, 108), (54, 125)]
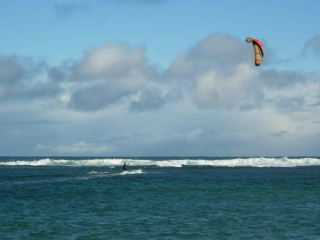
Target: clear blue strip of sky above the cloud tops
[(166, 28)]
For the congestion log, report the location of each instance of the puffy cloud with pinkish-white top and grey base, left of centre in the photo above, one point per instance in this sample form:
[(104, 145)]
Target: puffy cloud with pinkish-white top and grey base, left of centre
[(109, 75)]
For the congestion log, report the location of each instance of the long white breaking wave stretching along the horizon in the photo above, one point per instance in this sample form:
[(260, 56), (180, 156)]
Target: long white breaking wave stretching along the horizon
[(116, 162)]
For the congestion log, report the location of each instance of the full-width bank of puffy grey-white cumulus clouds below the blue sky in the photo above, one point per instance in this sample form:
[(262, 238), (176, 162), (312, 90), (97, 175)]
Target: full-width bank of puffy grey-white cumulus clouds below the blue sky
[(216, 73)]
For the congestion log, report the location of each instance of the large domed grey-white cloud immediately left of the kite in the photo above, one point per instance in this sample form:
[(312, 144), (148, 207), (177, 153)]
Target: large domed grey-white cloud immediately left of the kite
[(217, 73)]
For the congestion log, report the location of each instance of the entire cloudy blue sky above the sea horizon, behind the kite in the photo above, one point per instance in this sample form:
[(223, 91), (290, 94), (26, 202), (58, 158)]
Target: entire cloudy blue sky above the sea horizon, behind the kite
[(159, 78)]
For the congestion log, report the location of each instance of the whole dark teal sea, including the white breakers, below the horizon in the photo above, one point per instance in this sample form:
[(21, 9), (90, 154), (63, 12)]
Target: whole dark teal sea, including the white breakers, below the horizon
[(159, 198)]
